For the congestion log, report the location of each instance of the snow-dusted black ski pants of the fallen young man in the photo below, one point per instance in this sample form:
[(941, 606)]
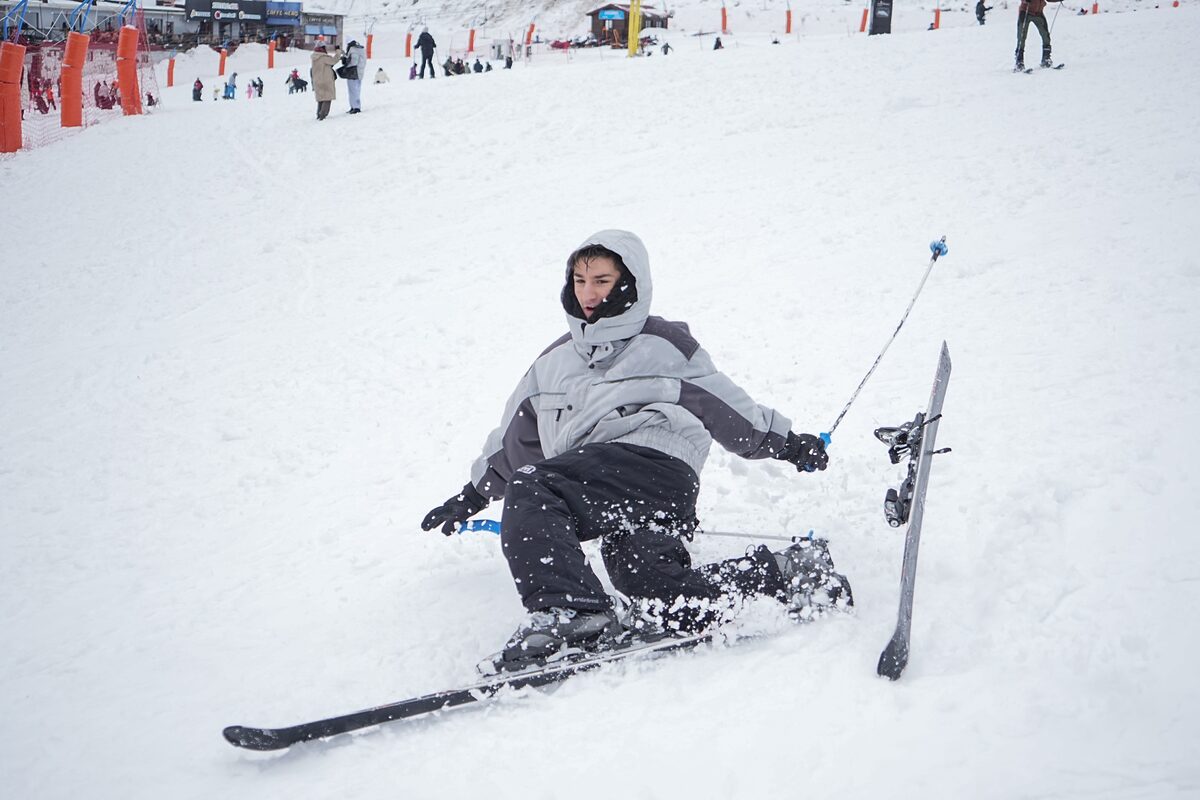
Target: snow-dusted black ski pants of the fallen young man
[(639, 501)]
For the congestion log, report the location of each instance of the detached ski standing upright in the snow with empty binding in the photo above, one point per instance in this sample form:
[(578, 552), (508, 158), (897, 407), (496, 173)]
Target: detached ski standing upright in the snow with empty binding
[(914, 441)]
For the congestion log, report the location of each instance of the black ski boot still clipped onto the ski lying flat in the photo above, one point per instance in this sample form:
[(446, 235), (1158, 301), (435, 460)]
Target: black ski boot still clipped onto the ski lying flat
[(554, 633)]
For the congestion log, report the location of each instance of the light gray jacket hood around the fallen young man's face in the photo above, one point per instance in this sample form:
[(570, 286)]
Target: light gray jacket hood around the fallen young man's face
[(628, 323)]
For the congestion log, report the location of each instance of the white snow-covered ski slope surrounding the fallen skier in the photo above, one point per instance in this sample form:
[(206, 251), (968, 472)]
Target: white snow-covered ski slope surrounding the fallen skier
[(265, 348)]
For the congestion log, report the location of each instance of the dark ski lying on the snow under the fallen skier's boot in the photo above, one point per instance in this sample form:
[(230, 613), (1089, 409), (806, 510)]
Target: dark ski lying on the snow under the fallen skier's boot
[(266, 739)]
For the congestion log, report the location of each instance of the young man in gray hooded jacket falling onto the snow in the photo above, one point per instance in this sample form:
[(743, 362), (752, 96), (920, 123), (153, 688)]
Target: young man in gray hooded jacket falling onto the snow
[(605, 438)]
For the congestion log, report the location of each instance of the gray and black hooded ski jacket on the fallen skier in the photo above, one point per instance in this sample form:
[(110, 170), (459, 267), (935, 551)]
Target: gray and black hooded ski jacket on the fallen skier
[(629, 378)]
